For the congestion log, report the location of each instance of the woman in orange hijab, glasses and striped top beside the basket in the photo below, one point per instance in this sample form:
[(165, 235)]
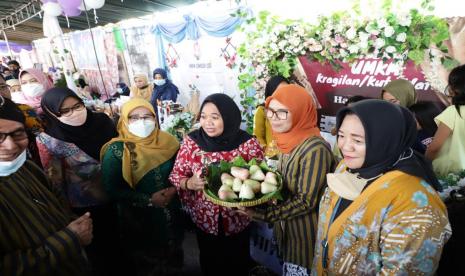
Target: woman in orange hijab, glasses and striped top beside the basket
[(305, 159)]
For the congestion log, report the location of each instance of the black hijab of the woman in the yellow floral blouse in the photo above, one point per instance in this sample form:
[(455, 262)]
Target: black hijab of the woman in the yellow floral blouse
[(390, 132)]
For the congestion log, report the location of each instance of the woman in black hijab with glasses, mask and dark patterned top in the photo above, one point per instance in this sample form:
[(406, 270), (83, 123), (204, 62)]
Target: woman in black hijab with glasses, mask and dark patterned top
[(69, 150)]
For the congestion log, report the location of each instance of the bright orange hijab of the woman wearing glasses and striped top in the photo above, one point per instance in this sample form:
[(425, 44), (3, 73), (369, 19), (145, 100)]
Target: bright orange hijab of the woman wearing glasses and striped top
[(304, 116)]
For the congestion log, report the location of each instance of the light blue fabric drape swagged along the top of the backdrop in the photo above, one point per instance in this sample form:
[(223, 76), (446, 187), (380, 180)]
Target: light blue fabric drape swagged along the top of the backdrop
[(190, 26)]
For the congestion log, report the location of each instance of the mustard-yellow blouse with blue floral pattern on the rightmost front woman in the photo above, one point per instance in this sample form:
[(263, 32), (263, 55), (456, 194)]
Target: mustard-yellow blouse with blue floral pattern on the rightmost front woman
[(397, 226)]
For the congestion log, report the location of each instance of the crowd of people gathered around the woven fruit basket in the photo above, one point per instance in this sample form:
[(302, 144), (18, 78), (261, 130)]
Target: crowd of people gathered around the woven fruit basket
[(80, 195)]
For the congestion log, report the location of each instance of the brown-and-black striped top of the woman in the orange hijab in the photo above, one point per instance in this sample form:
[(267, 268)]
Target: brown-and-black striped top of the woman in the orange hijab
[(295, 220)]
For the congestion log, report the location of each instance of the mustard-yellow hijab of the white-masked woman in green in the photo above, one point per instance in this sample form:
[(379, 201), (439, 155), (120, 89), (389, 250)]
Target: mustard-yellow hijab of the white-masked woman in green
[(141, 155)]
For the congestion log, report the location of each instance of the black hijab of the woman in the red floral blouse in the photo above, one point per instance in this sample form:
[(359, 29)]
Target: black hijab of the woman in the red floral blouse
[(232, 136)]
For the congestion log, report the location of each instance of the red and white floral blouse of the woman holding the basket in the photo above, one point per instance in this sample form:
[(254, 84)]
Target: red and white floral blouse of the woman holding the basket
[(202, 211)]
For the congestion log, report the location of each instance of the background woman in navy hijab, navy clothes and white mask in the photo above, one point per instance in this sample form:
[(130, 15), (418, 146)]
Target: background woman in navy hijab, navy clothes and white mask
[(164, 89)]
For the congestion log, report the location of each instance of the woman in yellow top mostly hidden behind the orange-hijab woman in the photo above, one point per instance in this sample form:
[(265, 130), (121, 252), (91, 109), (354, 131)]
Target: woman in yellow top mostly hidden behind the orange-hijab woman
[(262, 127)]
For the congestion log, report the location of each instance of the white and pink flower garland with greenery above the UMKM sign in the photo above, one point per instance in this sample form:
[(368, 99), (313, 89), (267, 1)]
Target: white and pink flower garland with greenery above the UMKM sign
[(273, 45)]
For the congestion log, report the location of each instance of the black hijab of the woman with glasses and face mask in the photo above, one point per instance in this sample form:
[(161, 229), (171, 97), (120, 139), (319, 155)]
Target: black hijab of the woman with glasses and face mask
[(90, 137)]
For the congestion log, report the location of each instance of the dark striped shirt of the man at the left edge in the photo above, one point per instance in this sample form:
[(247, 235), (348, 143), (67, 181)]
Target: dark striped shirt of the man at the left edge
[(33, 235)]
